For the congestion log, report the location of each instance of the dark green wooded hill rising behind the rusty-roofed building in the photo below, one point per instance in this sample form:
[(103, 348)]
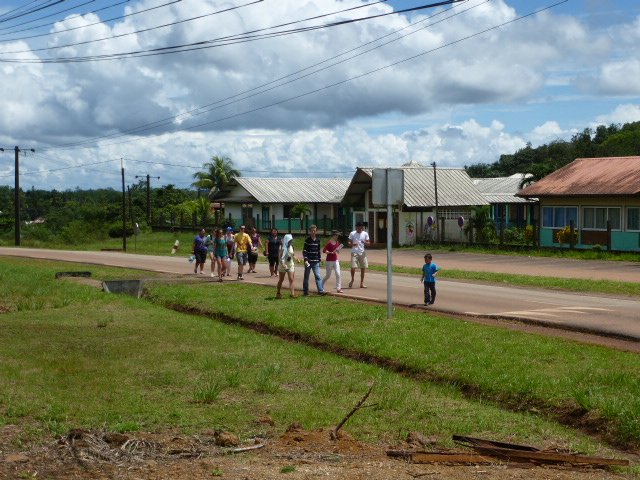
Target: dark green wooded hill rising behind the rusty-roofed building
[(611, 141)]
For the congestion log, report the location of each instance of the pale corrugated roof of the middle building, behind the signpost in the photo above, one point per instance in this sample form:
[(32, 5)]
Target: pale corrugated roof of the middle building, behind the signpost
[(455, 187)]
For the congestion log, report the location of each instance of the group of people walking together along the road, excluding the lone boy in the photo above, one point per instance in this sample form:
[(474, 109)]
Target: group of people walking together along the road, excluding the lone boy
[(222, 246)]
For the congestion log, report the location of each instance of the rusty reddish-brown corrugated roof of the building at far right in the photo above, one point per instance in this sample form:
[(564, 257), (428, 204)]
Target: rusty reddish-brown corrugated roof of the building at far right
[(590, 176)]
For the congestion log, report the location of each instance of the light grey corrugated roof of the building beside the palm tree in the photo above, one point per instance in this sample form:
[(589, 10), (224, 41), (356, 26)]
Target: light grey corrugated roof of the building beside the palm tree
[(285, 190)]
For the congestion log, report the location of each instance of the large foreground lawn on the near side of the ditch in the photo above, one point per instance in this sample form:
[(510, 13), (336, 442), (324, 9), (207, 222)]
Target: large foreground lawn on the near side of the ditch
[(126, 364)]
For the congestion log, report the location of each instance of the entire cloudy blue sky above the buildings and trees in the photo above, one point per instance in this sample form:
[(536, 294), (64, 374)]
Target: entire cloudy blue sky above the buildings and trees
[(158, 87)]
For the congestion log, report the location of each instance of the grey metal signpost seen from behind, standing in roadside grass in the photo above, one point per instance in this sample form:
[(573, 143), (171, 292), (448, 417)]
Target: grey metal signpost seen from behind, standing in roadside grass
[(388, 189)]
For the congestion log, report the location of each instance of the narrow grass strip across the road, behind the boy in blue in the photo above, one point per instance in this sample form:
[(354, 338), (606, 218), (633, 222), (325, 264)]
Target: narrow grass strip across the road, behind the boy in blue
[(567, 284)]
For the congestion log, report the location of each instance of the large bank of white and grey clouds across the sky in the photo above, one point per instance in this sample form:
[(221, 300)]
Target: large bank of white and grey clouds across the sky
[(48, 105)]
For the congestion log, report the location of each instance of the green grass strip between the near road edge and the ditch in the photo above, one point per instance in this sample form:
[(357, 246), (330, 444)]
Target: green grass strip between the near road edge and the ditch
[(592, 387)]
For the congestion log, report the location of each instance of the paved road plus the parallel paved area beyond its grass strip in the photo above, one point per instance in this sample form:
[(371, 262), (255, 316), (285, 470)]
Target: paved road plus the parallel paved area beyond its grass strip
[(619, 317)]
